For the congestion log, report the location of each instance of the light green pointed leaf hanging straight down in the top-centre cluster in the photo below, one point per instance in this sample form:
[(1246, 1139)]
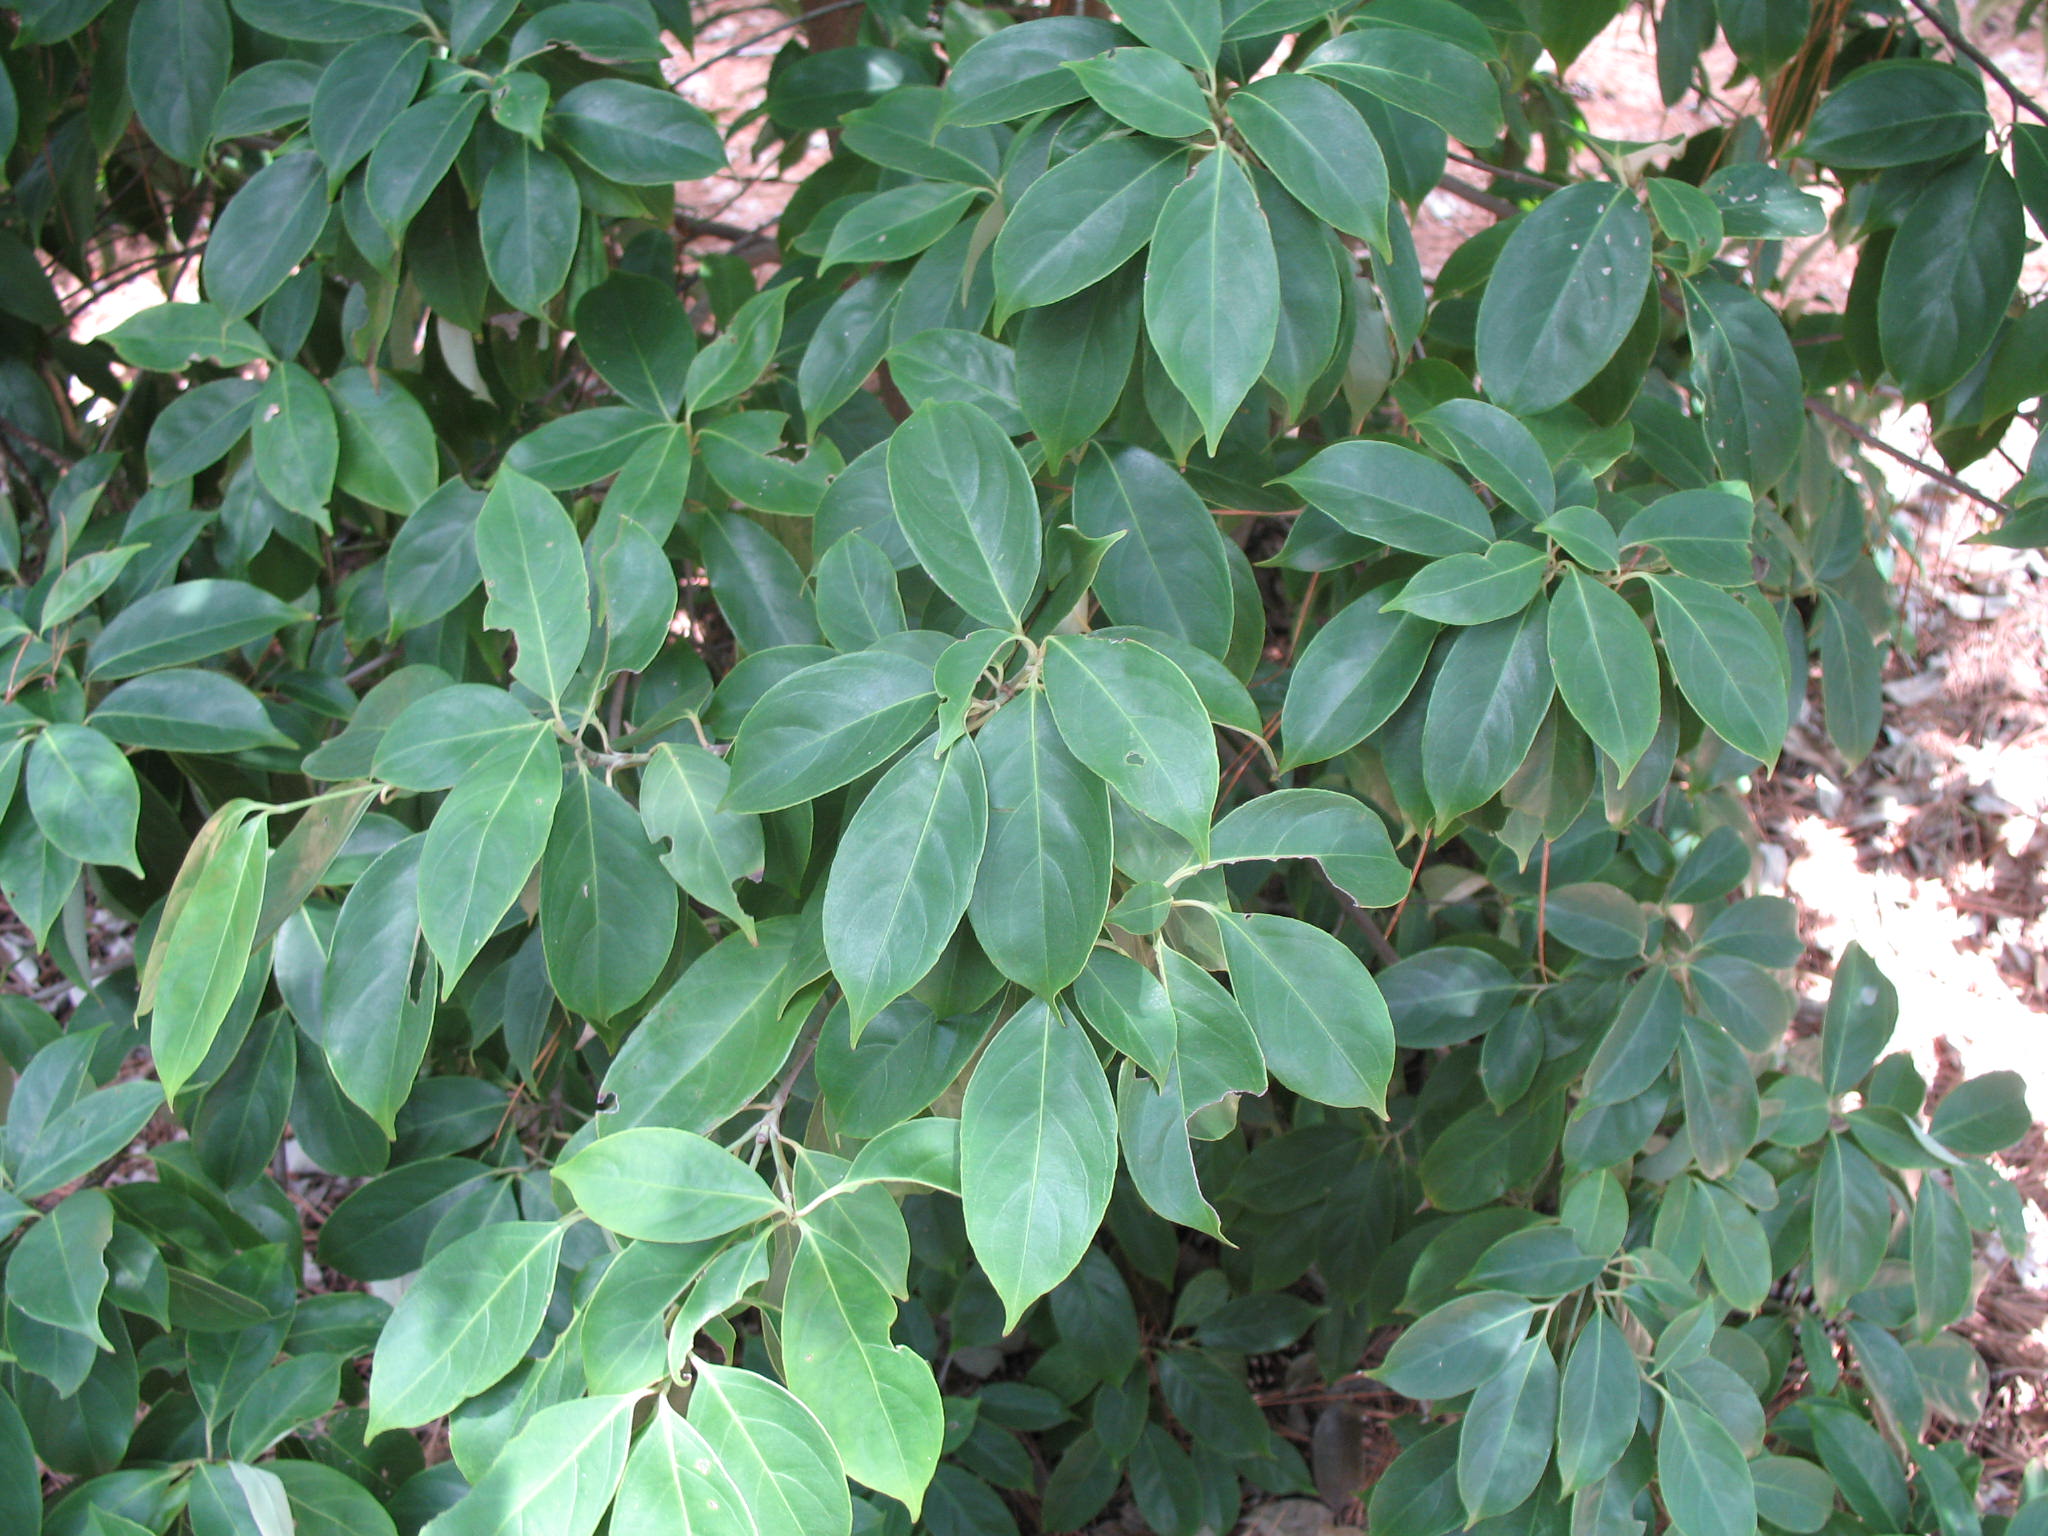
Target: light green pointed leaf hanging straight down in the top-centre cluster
[(1211, 292)]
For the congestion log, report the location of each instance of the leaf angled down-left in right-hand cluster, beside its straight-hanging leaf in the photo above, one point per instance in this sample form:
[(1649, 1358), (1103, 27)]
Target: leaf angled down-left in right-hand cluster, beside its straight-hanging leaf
[(1486, 708)]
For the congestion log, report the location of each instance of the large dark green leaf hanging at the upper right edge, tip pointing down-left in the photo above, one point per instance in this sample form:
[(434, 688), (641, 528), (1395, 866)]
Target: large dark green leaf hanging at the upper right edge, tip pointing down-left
[(1951, 275)]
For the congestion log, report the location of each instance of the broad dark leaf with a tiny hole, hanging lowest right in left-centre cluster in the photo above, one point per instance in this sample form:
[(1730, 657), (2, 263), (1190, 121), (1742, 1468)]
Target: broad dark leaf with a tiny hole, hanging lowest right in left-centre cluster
[(607, 906)]
